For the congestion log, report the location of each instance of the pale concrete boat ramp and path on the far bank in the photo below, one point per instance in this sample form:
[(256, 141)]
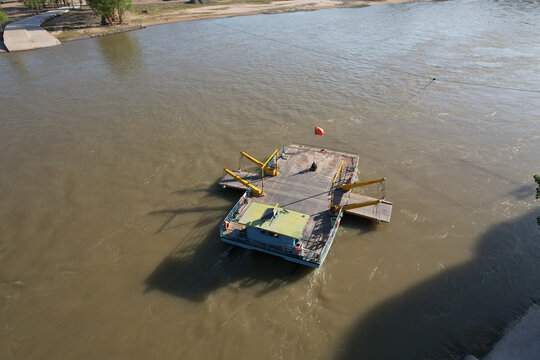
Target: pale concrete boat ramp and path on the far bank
[(27, 34)]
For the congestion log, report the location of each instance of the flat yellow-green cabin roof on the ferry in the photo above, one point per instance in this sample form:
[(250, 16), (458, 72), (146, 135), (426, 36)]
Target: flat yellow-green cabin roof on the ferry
[(285, 222)]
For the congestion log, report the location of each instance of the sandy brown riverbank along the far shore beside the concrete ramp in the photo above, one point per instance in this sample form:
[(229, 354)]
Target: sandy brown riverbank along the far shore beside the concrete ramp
[(84, 23)]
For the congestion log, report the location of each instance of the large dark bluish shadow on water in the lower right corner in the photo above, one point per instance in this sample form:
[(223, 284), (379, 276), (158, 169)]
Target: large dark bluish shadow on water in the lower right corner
[(461, 310)]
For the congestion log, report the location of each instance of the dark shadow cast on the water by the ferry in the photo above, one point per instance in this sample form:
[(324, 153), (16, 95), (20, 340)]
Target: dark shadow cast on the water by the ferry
[(201, 264)]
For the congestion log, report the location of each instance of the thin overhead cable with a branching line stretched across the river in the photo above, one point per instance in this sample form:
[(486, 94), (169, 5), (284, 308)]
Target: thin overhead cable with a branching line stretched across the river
[(366, 62)]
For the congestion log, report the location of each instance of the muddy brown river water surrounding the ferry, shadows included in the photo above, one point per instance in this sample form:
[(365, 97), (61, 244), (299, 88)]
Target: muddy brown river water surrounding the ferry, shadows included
[(110, 149)]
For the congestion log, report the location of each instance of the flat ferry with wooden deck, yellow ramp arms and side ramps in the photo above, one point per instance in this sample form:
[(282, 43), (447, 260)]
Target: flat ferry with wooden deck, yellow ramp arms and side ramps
[(294, 206)]
